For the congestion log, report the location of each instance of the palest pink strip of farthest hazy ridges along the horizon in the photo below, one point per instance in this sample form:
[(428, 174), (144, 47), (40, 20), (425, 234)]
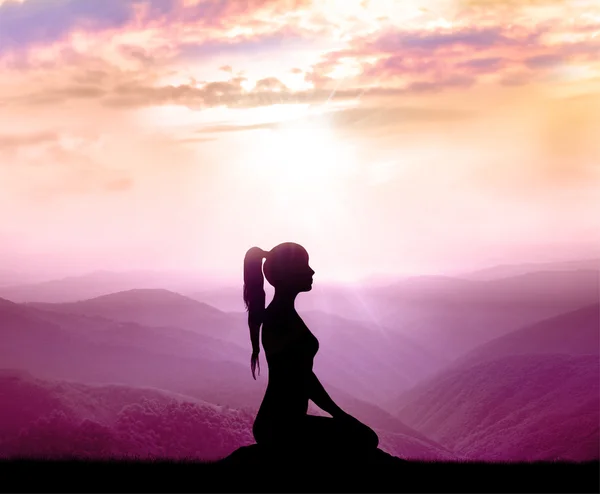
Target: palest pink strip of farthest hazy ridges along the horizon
[(227, 297)]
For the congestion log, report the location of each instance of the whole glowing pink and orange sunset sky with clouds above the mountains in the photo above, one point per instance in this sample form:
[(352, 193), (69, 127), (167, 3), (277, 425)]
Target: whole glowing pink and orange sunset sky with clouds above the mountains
[(384, 136)]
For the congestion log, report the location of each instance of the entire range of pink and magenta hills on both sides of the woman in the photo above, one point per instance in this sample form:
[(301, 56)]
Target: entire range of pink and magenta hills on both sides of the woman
[(442, 368)]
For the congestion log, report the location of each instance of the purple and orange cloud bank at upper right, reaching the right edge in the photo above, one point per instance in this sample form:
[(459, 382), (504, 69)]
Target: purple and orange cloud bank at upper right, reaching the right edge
[(420, 57)]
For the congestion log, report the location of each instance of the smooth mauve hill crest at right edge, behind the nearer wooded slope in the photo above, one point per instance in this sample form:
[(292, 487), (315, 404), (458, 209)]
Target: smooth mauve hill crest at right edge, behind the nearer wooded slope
[(573, 333)]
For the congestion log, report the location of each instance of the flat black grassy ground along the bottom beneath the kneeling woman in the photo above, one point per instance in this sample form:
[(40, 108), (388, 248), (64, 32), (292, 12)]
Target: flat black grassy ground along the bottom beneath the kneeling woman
[(251, 469)]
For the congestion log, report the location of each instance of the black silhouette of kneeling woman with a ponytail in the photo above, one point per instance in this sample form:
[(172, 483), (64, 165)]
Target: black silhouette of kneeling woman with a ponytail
[(290, 347)]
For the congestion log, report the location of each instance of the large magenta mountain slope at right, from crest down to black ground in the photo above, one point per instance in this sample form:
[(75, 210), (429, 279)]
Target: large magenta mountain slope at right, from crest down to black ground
[(531, 394)]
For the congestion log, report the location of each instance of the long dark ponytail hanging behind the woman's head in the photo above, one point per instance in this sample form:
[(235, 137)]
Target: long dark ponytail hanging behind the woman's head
[(254, 297)]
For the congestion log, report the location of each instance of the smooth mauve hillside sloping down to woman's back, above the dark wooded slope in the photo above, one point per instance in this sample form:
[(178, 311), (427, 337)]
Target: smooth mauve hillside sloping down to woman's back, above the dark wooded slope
[(29, 342)]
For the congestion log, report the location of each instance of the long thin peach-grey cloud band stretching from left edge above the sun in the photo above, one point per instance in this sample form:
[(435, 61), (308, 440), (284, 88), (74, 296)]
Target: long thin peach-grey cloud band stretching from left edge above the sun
[(116, 92)]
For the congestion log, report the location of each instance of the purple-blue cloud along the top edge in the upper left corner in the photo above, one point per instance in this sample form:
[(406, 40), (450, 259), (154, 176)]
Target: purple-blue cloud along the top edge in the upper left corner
[(30, 23)]
